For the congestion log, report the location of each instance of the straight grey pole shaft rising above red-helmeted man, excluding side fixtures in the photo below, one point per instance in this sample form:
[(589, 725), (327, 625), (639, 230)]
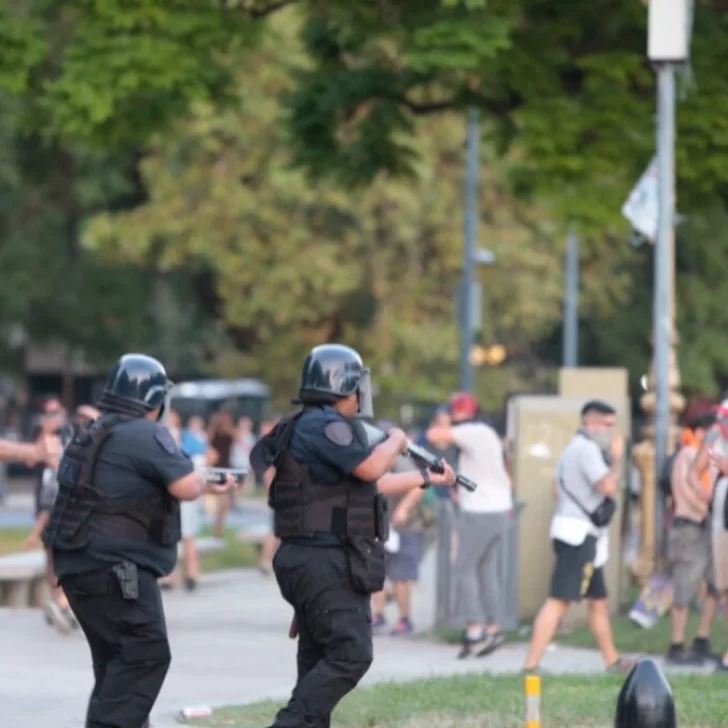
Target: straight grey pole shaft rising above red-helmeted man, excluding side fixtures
[(467, 323)]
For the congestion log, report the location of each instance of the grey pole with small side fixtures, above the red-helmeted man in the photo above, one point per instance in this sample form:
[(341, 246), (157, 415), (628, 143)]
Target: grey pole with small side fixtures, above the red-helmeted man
[(470, 298)]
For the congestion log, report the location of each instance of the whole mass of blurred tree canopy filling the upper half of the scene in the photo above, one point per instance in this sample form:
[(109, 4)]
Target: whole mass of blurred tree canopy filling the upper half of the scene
[(251, 177)]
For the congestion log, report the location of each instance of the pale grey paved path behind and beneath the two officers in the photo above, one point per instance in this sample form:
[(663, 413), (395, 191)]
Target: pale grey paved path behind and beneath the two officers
[(229, 646)]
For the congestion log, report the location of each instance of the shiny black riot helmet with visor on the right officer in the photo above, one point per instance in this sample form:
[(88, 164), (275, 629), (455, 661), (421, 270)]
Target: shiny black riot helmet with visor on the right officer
[(332, 371)]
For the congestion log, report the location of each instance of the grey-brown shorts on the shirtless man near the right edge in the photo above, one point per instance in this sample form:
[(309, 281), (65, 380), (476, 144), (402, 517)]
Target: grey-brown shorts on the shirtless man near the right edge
[(690, 559)]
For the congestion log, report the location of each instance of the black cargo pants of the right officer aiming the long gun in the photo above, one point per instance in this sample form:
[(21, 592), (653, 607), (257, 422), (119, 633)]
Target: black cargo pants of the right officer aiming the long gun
[(334, 631)]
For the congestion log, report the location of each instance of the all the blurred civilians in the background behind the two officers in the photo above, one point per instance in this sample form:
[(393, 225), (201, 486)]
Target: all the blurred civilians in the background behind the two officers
[(589, 474)]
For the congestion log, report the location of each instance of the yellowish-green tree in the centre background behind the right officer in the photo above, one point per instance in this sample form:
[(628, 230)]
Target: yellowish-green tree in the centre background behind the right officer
[(297, 262)]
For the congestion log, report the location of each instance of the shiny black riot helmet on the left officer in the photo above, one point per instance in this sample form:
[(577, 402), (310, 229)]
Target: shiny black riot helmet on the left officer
[(137, 382)]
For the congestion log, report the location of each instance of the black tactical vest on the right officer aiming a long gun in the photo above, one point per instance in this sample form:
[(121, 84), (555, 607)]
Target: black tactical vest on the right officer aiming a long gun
[(350, 509)]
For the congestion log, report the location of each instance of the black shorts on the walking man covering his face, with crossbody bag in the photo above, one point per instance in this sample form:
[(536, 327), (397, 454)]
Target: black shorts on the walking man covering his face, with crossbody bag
[(575, 577)]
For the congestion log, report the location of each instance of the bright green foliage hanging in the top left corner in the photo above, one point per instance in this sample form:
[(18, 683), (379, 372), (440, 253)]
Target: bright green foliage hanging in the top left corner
[(114, 71)]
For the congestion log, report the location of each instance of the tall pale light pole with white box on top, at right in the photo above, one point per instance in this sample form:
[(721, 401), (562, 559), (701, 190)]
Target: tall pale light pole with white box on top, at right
[(668, 47)]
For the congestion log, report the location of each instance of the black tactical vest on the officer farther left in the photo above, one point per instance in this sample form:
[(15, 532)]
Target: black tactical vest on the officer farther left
[(80, 511)]
